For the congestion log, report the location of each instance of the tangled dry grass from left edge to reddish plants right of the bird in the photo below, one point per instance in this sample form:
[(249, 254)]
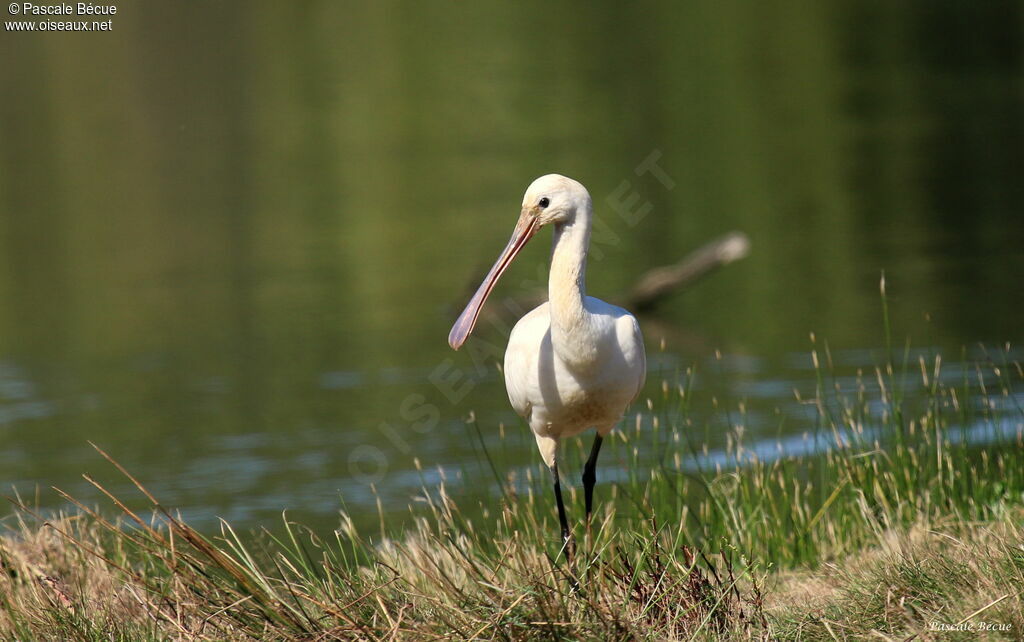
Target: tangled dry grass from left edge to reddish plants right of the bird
[(88, 579)]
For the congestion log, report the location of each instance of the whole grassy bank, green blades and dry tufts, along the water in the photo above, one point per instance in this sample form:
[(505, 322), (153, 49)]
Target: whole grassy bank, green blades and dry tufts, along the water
[(910, 524)]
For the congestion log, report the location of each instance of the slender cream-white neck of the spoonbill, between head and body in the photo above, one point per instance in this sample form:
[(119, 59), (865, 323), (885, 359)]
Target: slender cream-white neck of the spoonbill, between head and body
[(567, 288)]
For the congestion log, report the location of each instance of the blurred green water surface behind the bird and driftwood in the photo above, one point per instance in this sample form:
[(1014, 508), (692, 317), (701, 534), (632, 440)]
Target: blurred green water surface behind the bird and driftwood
[(234, 235)]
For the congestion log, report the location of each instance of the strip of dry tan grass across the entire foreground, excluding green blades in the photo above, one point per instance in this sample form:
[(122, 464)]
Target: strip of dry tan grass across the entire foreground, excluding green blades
[(73, 578)]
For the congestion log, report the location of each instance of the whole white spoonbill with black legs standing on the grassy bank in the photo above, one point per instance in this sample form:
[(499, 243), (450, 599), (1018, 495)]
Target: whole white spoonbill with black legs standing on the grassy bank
[(576, 362)]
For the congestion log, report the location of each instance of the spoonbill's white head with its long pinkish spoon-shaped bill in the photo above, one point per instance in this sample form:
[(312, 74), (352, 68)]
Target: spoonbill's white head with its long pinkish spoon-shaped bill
[(551, 199)]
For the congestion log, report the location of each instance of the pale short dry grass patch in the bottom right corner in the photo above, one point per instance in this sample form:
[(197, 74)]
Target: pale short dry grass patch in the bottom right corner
[(954, 581)]
